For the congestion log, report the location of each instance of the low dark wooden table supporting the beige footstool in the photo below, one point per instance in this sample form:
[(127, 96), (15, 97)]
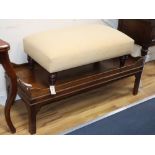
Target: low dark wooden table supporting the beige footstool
[(35, 93)]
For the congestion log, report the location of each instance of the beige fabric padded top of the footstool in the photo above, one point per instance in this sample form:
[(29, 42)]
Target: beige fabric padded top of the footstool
[(61, 49)]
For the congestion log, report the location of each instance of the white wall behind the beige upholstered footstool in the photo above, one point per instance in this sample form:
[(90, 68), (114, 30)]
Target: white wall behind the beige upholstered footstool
[(13, 32)]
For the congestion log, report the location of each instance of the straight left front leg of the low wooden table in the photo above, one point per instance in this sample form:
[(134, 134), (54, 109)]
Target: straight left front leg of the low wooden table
[(32, 112)]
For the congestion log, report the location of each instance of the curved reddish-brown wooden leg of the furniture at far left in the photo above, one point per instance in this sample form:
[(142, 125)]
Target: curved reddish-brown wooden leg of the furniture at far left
[(4, 58)]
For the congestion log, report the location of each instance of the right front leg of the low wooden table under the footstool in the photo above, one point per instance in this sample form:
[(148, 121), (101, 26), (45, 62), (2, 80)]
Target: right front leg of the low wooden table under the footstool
[(137, 83)]
